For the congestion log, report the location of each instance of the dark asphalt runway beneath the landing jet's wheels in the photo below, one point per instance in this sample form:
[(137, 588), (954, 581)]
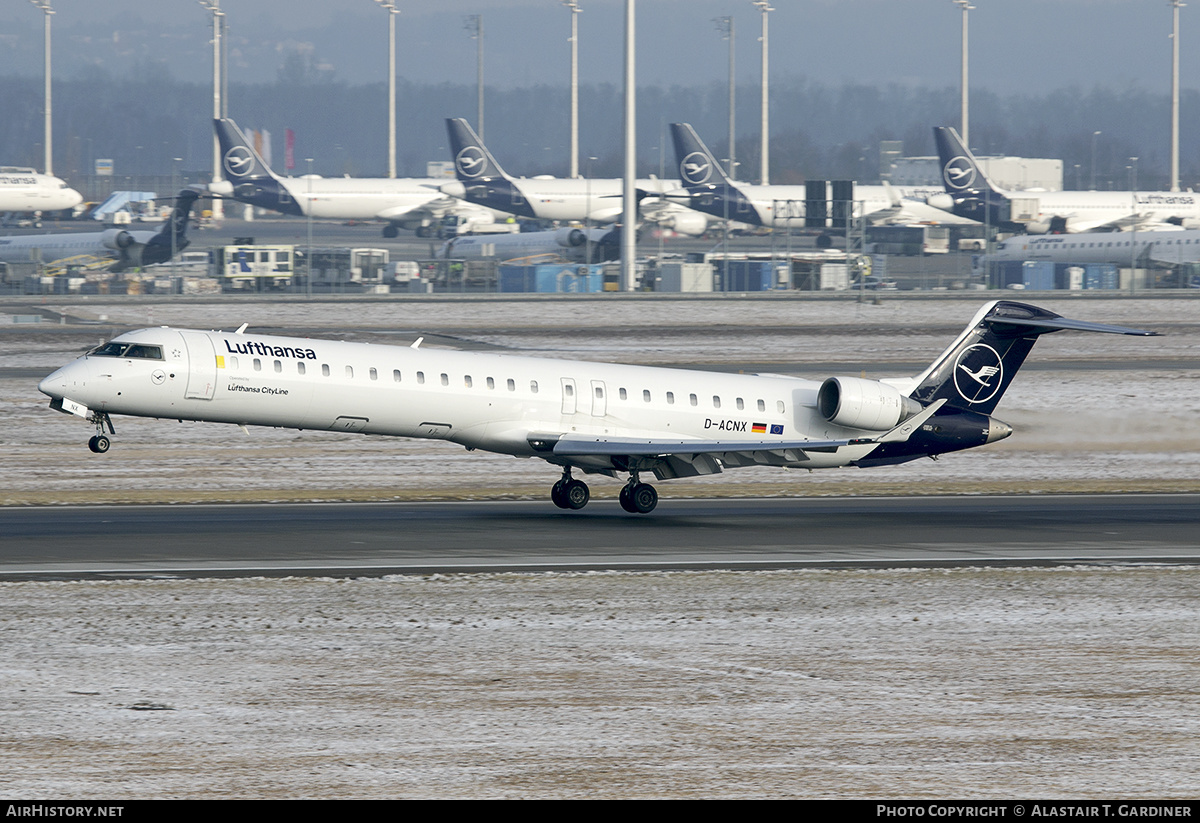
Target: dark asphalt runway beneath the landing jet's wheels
[(373, 539)]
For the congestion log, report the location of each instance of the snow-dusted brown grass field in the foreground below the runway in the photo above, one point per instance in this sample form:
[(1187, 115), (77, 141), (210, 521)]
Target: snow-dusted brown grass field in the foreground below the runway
[(1000, 683)]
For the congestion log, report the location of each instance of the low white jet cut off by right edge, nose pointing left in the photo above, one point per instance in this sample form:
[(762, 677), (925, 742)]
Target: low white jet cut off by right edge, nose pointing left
[(1117, 248)]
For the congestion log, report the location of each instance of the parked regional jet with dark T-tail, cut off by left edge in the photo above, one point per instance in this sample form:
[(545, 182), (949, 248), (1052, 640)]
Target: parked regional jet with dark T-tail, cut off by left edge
[(129, 250)]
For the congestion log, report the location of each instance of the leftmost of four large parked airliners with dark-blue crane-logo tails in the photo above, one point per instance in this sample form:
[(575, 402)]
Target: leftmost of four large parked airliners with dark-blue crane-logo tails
[(410, 203)]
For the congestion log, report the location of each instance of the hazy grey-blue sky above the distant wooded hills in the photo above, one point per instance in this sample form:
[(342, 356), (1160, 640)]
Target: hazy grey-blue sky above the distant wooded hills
[(1017, 45)]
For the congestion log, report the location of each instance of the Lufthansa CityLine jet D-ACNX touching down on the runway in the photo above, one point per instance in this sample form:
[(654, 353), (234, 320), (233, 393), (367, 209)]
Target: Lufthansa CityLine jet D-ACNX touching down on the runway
[(598, 418)]
